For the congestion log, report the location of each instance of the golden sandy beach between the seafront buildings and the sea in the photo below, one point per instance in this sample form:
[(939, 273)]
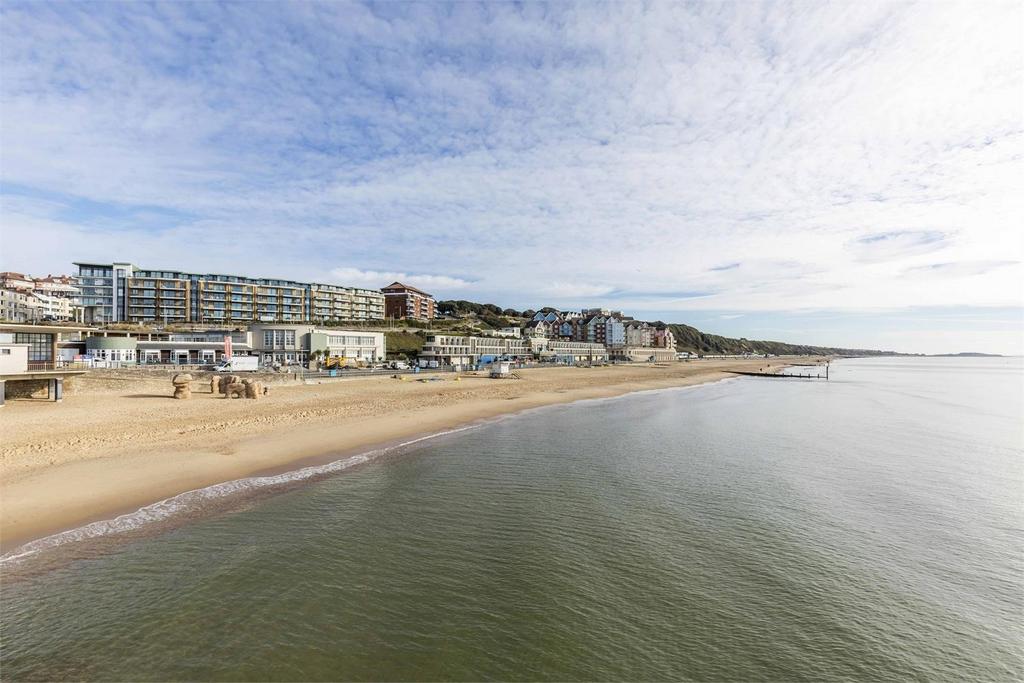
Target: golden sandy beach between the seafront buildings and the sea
[(111, 448)]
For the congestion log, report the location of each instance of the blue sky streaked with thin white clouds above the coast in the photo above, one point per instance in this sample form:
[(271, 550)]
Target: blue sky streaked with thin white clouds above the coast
[(828, 174)]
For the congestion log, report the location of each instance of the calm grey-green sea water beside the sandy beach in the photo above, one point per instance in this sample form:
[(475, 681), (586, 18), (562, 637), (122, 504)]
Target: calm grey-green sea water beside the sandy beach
[(866, 529)]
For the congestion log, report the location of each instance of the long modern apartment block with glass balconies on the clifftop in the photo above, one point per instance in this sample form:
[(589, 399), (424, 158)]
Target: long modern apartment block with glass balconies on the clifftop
[(122, 292)]
